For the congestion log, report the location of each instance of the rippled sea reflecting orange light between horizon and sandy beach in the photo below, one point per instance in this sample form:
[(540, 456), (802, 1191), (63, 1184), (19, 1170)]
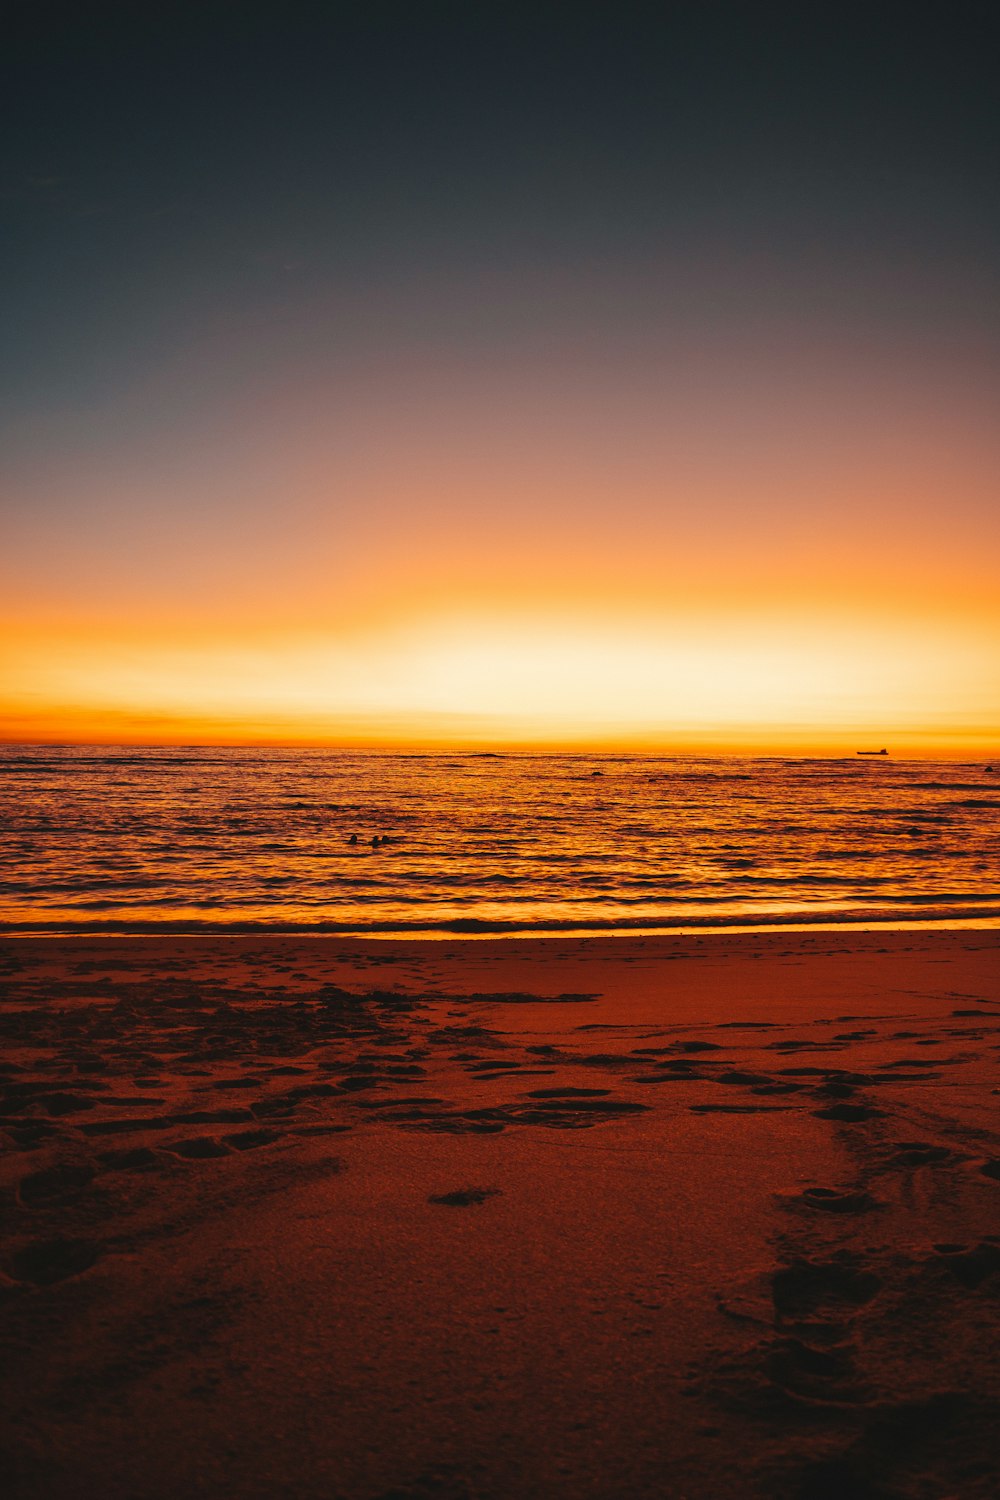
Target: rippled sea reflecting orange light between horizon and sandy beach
[(188, 839)]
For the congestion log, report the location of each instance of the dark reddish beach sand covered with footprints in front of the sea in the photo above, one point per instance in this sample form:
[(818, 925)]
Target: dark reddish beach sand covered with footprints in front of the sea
[(704, 1217)]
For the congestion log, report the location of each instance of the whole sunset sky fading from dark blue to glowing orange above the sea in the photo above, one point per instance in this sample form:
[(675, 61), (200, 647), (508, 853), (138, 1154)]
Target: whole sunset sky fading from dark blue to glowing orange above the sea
[(522, 376)]
